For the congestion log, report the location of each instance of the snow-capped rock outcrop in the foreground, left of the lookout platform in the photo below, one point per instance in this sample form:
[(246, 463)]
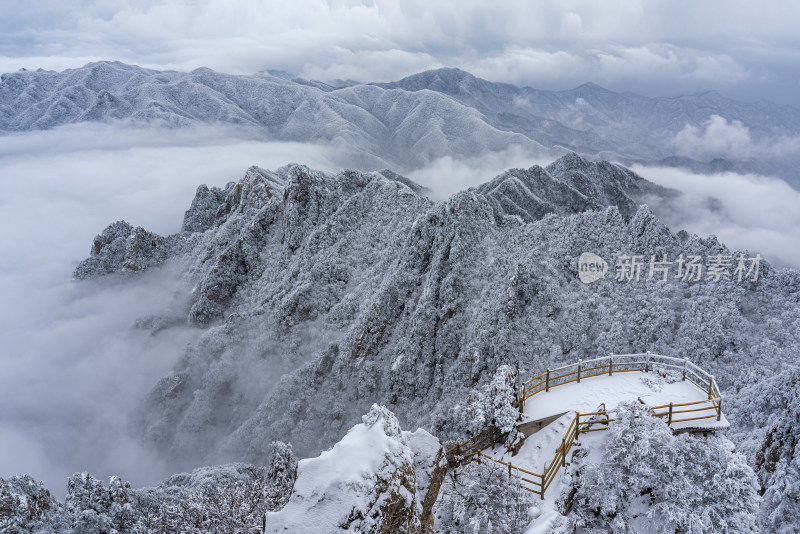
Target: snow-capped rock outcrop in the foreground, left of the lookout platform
[(377, 479)]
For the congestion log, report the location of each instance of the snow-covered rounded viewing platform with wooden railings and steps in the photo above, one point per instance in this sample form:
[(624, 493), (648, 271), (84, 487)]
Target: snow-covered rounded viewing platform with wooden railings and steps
[(562, 403)]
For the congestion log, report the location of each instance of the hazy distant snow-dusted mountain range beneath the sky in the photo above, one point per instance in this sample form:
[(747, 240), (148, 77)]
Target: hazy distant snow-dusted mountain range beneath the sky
[(407, 123)]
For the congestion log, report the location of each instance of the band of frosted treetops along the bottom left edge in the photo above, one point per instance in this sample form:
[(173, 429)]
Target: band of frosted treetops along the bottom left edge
[(222, 499)]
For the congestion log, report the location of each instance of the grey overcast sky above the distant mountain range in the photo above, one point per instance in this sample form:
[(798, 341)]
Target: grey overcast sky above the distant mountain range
[(744, 49)]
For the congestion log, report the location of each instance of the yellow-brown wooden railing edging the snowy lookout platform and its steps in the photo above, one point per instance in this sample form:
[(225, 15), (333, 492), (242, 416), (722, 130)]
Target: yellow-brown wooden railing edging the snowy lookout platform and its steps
[(538, 483)]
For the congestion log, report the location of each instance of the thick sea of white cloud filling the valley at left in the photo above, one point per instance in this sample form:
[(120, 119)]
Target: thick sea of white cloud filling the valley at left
[(73, 368)]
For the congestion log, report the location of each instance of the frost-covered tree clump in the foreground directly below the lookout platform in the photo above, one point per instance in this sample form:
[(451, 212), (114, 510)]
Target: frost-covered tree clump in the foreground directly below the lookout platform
[(650, 480)]
